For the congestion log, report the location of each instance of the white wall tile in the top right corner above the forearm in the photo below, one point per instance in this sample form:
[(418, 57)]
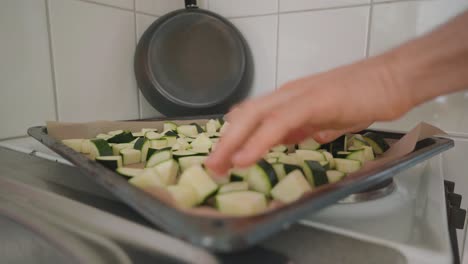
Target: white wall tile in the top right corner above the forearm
[(397, 22)]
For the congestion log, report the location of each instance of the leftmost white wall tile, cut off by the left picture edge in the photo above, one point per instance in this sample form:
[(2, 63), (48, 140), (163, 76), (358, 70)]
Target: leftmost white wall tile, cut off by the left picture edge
[(26, 90)]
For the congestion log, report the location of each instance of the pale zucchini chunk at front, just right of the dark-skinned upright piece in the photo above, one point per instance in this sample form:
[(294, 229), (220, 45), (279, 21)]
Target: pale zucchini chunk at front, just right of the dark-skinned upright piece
[(291, 188)]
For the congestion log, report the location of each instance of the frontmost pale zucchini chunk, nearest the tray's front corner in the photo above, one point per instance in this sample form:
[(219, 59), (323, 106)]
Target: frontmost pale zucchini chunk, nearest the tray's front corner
[(241, 203)]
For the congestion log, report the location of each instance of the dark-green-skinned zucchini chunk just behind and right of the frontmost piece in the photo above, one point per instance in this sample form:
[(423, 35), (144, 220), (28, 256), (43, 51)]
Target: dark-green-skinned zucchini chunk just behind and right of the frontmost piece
[(262, 177)]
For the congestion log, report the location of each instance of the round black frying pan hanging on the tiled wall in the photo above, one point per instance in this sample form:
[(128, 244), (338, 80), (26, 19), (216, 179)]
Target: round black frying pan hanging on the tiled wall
[(193, 62)]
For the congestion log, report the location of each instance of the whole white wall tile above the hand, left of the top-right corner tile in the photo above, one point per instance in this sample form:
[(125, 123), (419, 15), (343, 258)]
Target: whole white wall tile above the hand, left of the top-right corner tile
[(311, 42)]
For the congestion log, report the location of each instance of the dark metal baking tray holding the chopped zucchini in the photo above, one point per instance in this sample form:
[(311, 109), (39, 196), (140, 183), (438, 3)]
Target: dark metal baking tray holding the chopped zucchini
[(237, 233)]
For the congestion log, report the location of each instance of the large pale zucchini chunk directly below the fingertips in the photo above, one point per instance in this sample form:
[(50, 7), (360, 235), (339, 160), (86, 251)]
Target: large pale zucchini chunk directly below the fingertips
[(197, 178)]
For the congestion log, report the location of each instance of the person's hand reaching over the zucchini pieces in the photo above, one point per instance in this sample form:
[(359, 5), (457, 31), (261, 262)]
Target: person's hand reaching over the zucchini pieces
[(322, 106)]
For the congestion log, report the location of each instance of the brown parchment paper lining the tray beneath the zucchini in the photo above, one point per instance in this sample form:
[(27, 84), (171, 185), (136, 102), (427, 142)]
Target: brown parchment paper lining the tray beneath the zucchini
[(61, 130)]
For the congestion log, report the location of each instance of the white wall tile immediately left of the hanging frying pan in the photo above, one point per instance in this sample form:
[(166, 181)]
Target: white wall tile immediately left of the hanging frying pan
[(93, 53)]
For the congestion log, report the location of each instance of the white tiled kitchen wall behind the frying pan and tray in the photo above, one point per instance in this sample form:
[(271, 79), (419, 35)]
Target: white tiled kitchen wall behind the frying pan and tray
[(71, 60)]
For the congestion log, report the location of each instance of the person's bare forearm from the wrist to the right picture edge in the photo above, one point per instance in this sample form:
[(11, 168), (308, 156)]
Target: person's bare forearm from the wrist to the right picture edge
[(432, 65)]
